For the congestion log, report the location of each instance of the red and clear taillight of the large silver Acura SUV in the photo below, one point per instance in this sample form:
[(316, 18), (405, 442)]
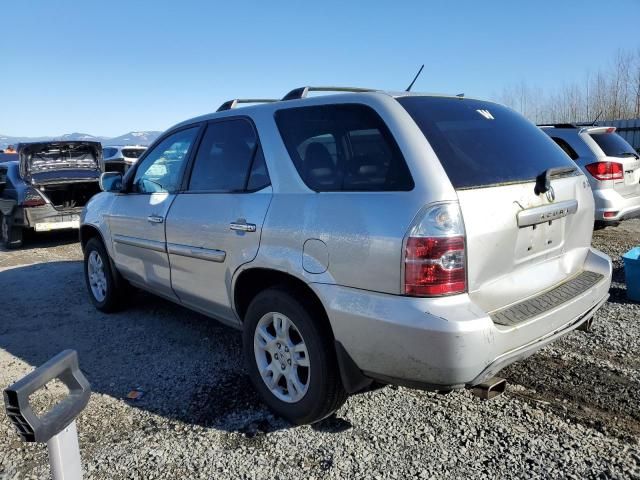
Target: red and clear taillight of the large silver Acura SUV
[(435, 253)]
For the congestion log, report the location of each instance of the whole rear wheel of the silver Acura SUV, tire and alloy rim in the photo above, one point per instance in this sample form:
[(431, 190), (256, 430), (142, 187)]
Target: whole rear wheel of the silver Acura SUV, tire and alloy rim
[(285, 338)]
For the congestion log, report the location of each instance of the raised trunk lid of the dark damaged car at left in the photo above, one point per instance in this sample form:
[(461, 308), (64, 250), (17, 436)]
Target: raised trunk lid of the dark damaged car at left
[(45, 163)]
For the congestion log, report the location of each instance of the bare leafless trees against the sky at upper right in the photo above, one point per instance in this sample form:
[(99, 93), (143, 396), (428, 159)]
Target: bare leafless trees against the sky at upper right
[(609, 94)]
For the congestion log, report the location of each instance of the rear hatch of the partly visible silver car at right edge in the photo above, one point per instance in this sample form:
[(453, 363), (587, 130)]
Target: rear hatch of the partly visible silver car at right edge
[(611, 147)]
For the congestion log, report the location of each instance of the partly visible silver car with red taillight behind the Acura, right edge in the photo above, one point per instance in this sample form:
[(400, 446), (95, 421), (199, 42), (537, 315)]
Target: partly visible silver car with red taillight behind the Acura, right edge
[(609, 162)]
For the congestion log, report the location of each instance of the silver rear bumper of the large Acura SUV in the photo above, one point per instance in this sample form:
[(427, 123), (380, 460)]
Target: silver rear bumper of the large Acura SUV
[(448, 342)]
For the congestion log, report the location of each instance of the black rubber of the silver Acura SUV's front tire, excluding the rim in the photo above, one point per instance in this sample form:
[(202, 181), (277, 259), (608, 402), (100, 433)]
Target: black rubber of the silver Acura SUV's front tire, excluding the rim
[(113, 298)]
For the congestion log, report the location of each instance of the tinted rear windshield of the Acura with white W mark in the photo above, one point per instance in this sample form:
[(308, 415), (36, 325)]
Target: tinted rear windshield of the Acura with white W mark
[(482, 143)]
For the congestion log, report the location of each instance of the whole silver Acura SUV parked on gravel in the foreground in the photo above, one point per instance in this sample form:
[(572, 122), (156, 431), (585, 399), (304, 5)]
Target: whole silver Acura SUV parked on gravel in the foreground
[(426, 241)]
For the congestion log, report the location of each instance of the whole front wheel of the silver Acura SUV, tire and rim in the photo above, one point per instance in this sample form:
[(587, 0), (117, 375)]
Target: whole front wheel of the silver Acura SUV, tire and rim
[(102, 279)]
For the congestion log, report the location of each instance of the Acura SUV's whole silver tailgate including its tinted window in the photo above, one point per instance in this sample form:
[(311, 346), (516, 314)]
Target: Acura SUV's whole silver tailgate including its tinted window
[(519, 242)]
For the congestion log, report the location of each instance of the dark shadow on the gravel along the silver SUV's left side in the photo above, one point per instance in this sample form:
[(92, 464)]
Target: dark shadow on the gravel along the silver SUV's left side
[(183, 365)]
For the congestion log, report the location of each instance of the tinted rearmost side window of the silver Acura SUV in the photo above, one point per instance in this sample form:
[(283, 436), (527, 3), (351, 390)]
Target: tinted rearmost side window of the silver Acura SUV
[(344, 147)]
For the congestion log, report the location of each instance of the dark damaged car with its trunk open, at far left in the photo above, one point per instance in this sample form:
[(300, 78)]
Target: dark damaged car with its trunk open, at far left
[(46, 187)]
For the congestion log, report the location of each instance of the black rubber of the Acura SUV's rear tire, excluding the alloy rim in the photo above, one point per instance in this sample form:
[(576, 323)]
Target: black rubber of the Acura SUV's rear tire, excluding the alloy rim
[(325, 393)]
